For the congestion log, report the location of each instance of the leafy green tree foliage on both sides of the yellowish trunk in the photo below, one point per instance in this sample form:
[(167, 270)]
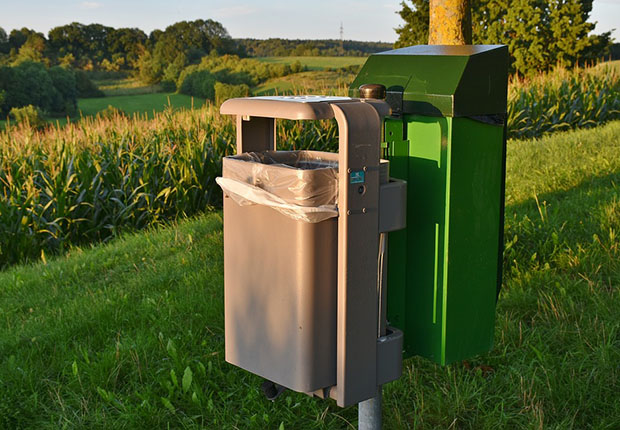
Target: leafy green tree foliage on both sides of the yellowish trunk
[(540, 34)]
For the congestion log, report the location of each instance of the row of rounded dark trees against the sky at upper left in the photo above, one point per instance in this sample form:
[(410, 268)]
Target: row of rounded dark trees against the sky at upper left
[(96, 46)]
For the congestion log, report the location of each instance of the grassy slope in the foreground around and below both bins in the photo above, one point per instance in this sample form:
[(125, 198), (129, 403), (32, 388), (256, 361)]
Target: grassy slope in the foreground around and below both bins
[(103, 338)]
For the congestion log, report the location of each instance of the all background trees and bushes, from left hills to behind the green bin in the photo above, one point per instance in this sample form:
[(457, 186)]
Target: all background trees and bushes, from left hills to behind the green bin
[(200, 59)]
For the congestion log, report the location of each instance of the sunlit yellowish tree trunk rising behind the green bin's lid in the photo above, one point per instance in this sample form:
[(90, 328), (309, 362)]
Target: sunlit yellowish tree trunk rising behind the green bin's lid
[(450, 22)]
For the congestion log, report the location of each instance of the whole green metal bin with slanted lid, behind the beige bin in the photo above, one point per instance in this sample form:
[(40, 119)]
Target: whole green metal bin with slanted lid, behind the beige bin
[(446, 137)]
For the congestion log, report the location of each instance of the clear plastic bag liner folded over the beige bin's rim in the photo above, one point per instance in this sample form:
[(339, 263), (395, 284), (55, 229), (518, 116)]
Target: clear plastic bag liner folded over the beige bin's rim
[(302, 185)]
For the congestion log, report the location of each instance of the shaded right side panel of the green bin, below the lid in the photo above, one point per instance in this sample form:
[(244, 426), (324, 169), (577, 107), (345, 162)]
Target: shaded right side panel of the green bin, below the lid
[(475, 225)]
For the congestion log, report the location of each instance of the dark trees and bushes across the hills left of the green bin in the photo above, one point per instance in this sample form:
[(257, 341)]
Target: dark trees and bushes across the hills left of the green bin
[(197, 58)]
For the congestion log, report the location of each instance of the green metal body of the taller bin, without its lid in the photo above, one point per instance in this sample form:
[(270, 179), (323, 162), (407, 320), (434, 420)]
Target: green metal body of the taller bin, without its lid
[(443, 269)]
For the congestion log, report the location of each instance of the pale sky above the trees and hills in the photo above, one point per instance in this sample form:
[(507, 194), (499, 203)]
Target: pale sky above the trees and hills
[(314, 19)]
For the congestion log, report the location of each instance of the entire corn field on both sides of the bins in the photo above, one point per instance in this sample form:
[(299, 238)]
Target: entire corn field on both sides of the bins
[(90, 180)]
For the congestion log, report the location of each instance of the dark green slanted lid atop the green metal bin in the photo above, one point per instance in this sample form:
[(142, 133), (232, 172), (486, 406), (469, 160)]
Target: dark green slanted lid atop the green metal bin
[(440, 80)]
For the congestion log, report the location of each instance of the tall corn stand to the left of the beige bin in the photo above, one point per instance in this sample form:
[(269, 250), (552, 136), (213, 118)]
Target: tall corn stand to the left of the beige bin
[(90, 180)]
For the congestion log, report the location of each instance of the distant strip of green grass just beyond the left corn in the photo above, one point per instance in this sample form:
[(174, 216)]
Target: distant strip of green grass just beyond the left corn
[(142, 103)]
